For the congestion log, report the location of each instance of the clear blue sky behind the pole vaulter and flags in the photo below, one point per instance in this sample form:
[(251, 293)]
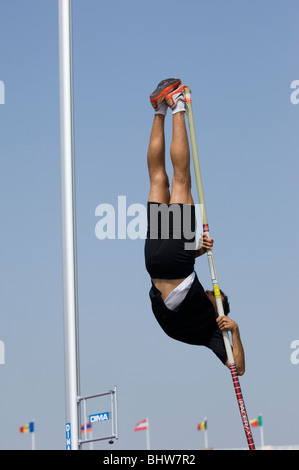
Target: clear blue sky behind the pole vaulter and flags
[(239, 58)]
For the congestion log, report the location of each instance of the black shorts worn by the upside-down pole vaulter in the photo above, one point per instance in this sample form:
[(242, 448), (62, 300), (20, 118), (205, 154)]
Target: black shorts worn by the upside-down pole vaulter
[(170, 243)]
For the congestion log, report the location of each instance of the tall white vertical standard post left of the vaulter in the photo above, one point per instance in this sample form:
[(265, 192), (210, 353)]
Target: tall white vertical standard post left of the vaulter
[(68, 223)]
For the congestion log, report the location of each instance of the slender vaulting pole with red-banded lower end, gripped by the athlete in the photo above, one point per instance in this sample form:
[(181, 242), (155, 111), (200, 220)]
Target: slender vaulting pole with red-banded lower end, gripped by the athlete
[(216, 289)]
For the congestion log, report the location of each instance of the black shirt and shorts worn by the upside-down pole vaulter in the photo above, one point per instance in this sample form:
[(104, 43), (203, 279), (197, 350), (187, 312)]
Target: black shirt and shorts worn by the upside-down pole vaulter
[(166, 257)]
